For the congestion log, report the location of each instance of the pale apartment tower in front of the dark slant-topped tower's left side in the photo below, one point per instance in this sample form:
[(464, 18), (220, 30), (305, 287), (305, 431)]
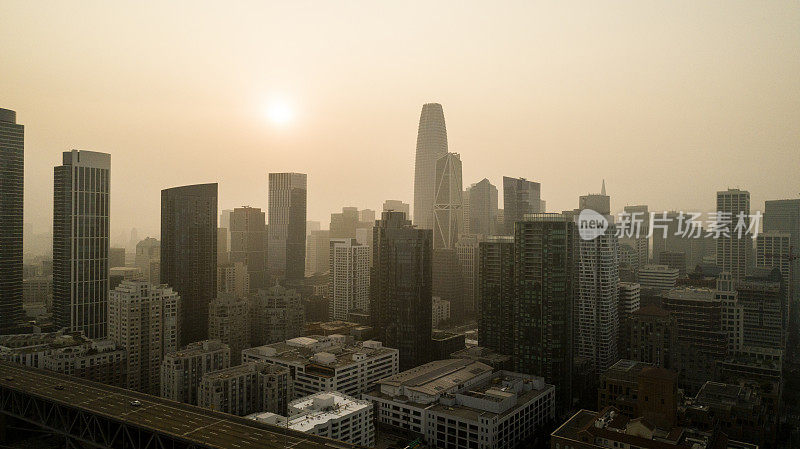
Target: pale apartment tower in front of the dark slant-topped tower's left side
[(143, 320)]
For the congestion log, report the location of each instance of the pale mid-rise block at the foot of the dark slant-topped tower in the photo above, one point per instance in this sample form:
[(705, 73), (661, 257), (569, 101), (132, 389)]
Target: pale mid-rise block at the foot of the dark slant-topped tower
[(181, 371)]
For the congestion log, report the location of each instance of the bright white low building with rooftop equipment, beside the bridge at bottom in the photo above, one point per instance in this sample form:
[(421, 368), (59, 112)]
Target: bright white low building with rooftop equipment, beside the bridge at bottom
[(329, 414)]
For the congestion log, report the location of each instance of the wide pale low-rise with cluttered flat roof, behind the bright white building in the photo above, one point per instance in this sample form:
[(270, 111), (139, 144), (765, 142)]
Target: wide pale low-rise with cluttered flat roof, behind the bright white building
[(332, 363)]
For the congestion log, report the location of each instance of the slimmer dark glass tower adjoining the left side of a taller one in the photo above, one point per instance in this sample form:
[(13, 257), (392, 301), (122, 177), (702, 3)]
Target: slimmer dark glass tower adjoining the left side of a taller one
[(496, 296)]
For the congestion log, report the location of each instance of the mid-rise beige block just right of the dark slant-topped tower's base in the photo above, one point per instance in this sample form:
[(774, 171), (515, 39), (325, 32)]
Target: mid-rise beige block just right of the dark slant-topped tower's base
[(229, 322)]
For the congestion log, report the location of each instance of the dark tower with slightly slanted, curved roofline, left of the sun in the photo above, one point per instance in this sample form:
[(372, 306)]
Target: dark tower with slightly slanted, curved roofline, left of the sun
[(189, 253)]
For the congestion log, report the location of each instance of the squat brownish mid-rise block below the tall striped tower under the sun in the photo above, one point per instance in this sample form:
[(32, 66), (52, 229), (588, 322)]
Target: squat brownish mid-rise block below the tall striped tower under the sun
[(276, 314)]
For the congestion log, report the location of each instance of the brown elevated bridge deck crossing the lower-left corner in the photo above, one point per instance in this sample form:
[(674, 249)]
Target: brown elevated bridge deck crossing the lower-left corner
[(193, 424)]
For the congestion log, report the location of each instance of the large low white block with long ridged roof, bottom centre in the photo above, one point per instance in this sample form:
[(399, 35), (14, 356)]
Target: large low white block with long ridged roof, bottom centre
[(461, 403)]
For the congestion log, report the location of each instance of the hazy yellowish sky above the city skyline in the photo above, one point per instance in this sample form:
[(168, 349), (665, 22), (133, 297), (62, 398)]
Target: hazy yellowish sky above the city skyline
[(669, 101)]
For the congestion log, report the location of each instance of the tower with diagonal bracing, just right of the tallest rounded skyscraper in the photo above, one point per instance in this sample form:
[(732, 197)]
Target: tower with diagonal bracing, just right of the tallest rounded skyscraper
[(447, 202)]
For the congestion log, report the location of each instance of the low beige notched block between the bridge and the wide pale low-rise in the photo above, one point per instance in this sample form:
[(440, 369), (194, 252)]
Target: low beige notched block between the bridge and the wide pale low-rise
[(248, 388)]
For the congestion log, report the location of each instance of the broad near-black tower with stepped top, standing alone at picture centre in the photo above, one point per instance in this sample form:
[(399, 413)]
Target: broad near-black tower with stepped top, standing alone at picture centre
[(400, 289)]
